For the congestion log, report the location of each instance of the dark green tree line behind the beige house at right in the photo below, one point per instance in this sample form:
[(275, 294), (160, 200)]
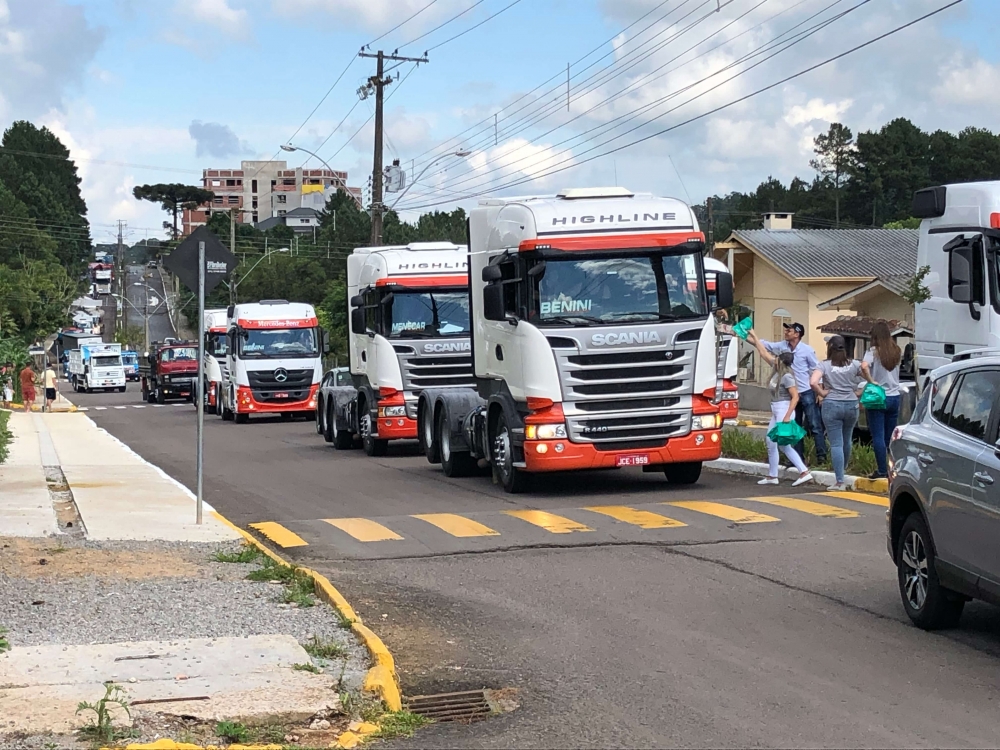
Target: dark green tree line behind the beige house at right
[(863, 181)]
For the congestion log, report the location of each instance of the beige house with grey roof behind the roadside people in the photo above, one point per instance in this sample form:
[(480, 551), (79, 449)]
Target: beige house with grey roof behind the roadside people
[(814, 276)]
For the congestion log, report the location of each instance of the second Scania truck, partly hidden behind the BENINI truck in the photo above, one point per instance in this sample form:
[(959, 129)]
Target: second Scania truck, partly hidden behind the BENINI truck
[(409, 311)]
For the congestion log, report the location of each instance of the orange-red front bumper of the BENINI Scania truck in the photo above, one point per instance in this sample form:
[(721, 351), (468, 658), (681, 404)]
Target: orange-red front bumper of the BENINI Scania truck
[(696, 447)]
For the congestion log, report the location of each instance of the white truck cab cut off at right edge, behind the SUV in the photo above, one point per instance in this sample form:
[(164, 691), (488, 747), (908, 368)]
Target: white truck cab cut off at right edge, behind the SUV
[(960, 244)]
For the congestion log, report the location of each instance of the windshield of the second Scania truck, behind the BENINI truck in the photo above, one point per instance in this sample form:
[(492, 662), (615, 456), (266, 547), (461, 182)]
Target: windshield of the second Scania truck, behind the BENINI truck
[(427, 313)]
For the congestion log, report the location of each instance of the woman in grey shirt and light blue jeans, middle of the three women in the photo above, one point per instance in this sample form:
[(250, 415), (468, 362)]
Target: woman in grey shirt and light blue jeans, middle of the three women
[(836, 383)]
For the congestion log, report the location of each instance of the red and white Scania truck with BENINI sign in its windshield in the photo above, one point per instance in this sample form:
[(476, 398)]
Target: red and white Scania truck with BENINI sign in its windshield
[(591, 348)]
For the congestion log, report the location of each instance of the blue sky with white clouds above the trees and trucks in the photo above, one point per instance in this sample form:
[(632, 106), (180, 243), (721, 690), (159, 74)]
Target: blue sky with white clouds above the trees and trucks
[(685, 98)]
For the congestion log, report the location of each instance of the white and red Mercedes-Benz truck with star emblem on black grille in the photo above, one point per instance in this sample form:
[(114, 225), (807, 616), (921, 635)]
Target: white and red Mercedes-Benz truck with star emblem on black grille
[(274, 360)]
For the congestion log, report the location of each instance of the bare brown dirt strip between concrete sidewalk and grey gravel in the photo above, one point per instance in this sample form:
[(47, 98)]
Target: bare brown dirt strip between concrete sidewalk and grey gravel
[(36, 558)]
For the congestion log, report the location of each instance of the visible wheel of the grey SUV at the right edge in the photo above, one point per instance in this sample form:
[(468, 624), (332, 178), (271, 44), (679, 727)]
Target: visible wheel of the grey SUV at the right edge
[(927, 603)]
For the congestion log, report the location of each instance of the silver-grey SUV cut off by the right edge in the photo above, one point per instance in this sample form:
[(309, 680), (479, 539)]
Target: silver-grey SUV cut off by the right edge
[(943, 521)]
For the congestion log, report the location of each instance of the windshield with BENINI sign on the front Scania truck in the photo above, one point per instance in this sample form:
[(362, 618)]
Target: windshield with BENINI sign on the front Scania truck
[(612, 289)]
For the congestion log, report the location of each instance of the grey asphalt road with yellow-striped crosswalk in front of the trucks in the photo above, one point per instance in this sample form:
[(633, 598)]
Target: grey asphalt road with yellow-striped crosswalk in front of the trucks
[(774, 627)]
